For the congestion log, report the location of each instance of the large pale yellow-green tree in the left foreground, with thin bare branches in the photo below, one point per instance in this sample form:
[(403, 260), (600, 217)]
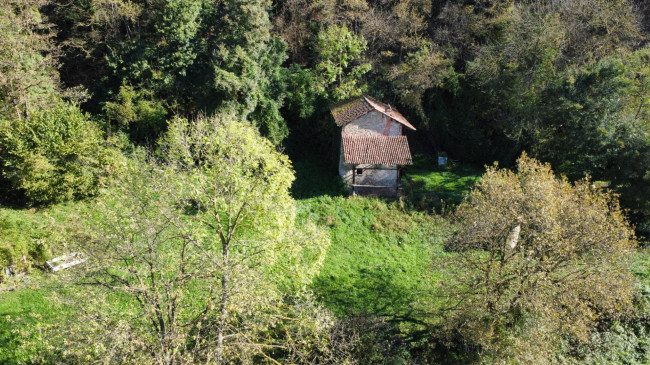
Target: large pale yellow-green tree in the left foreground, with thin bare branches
[(197, 259)]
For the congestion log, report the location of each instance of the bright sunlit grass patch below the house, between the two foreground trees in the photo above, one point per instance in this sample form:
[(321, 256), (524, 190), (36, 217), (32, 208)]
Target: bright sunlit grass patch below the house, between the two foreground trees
[(380, 259)]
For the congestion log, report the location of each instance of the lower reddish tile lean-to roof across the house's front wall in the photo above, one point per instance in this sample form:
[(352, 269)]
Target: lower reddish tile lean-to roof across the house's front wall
[(375, 150)]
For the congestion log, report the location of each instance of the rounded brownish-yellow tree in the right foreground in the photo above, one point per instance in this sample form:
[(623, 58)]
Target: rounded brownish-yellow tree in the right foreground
[(539, 259)]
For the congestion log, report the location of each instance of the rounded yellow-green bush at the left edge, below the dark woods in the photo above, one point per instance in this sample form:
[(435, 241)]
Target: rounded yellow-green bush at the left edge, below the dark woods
[(57, 154)]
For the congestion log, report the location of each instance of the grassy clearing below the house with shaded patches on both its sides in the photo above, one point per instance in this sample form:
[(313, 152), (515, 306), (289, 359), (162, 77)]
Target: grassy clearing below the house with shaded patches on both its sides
[(381, 261)]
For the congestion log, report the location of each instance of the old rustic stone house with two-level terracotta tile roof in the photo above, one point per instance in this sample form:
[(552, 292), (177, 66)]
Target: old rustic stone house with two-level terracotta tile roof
[(373, 149)]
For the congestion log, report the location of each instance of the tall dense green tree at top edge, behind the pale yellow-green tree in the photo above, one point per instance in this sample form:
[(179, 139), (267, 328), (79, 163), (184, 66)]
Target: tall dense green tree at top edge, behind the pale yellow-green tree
[(245, 61)]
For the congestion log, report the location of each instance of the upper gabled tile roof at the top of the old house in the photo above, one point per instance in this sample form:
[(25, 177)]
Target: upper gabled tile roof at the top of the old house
[(349, 110)]
